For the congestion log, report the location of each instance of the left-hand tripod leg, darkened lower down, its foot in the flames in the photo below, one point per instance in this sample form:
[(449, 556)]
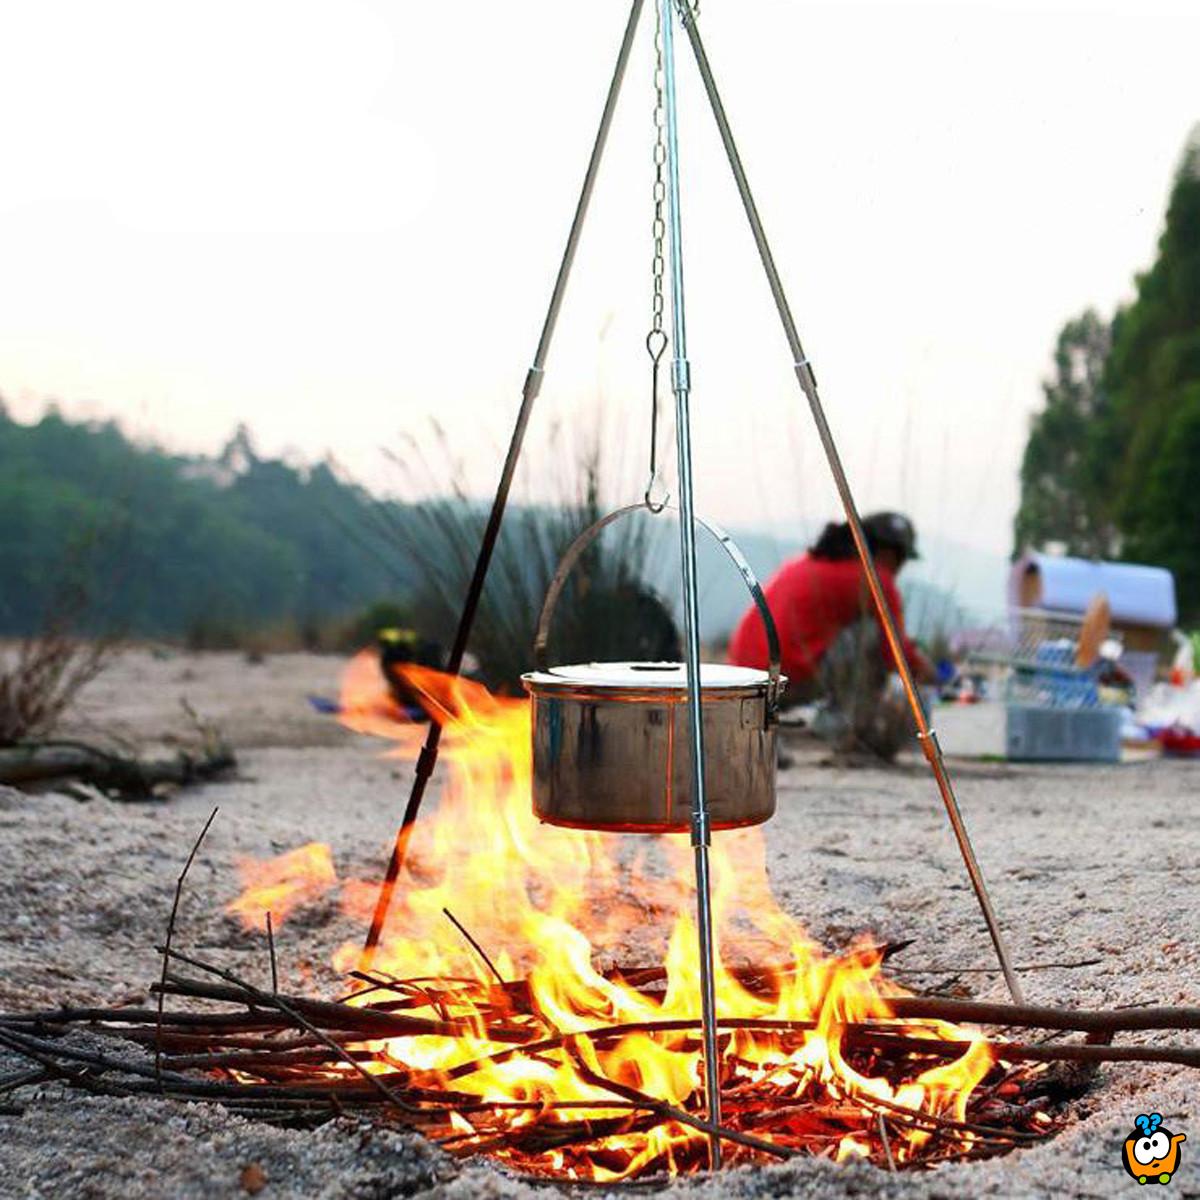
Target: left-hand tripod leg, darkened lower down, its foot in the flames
[(429, 757)]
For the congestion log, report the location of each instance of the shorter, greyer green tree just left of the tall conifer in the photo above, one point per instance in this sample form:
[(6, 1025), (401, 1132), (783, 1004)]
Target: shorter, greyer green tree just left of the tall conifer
[(1064, 496)]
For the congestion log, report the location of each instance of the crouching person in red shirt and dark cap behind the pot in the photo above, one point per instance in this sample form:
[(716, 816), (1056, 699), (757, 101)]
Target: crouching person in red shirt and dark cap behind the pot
[(825, 614)]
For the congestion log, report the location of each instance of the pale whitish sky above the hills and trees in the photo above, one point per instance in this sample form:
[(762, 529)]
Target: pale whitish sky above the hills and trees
[(339, 220)]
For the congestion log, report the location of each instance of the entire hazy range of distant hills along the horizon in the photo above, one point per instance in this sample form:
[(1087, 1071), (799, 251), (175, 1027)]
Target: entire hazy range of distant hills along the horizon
[(206, 549)]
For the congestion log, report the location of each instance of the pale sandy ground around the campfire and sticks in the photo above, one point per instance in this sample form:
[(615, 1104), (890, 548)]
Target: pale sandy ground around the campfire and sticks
[(1084, 862)]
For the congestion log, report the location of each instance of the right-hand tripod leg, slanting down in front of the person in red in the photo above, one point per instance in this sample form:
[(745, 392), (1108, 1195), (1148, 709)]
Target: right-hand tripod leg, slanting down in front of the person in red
[(926, 735)]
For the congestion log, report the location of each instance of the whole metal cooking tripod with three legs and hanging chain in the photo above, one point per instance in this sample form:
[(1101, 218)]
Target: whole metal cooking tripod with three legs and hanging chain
[(670, 14)]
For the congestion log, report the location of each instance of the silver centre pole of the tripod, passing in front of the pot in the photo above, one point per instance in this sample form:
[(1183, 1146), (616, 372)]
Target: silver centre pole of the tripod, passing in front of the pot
[(681, 382)]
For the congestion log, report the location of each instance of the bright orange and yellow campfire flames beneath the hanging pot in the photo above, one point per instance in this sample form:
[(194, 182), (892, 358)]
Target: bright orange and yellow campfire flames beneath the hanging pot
[(560, 909)]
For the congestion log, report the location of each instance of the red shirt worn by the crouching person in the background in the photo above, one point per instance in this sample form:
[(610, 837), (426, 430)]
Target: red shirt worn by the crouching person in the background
[(813, 601)]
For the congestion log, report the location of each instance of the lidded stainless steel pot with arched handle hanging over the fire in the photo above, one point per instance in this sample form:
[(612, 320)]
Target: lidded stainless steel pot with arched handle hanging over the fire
[(610, 740)]
